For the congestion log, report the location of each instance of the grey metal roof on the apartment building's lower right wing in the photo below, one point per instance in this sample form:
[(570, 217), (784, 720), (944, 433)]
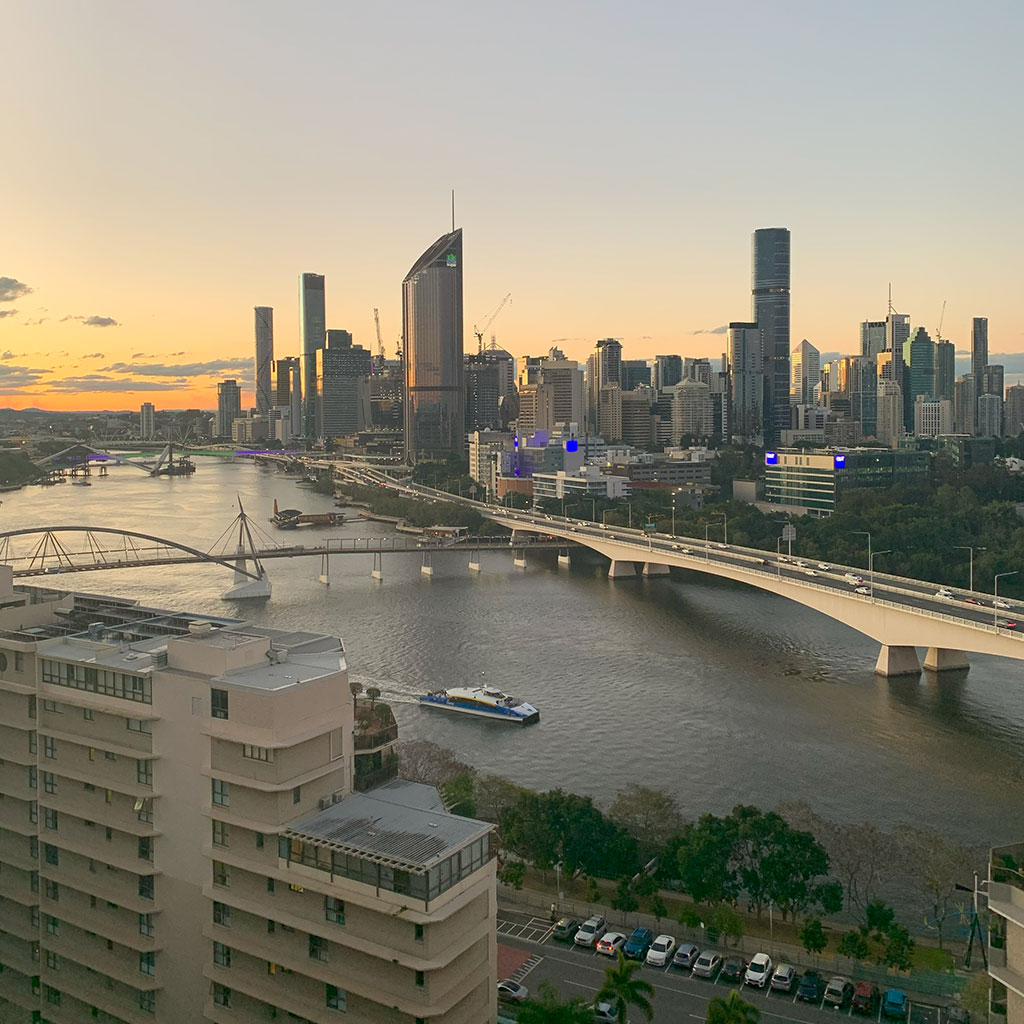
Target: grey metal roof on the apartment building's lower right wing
[(402, 825)]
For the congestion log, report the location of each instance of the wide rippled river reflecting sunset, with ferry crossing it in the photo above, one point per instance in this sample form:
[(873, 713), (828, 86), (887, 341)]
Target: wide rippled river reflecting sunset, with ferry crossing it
[(712, 691)]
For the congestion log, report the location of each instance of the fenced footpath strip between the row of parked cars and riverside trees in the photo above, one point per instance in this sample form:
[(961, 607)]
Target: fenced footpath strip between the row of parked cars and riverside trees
[(922, 986)]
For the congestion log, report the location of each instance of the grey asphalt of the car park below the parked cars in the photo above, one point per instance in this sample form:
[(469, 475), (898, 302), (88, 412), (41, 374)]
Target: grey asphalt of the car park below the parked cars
[(579, 971)]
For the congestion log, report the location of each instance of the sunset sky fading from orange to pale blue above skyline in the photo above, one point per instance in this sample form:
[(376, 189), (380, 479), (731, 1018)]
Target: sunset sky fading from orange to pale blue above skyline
[(167, 167)]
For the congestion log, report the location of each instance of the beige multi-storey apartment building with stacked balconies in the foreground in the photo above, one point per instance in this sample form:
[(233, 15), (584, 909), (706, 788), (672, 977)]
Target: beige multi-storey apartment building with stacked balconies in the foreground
[(181, 840)]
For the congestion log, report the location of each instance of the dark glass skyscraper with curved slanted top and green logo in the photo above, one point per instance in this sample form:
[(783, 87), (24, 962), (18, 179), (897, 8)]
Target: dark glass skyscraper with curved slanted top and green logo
[(432, 304)]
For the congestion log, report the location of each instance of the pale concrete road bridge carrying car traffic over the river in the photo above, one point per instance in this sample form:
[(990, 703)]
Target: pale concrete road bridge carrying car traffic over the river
[(899, 613)]
